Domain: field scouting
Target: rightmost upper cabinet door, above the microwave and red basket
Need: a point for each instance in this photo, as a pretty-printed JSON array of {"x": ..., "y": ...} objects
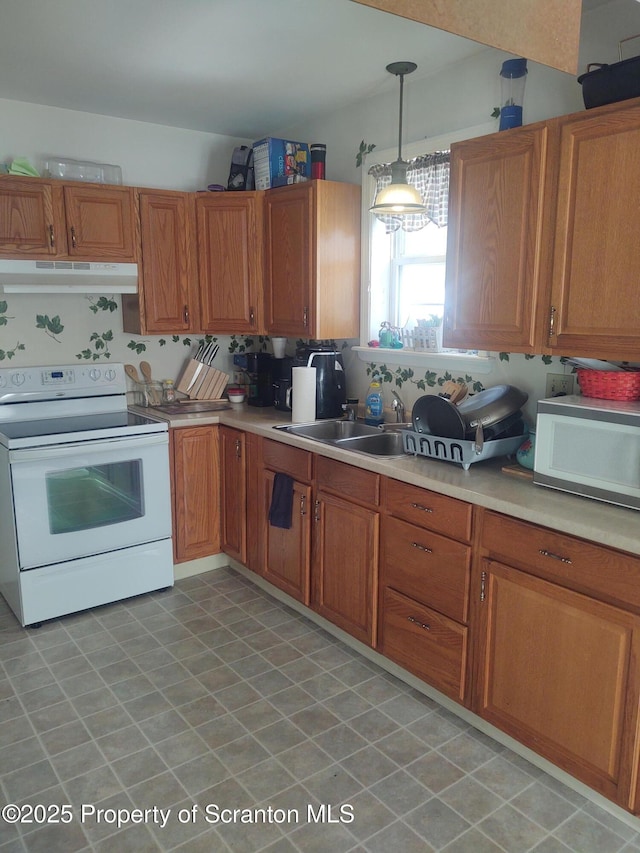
[{"x": 597, "y": 250}]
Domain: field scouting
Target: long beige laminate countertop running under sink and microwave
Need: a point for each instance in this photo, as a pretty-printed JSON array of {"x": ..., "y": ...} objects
[{"x": 484, "y": 483}]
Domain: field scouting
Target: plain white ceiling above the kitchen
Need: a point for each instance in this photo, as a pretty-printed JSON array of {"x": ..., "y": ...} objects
[{"x": 243, "y": 68}]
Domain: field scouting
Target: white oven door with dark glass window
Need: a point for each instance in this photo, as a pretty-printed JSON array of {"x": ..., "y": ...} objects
[{"x": 77, "y": 500}]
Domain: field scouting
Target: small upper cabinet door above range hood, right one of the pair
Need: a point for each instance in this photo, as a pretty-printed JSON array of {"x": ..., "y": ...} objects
[{"x": 101, "y": 223}]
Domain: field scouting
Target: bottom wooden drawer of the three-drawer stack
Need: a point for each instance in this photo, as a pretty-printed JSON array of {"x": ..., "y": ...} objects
[{"x": 426, "y": 643}]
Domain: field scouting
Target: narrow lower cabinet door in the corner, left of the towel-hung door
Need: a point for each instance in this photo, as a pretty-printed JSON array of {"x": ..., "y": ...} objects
[{"x": 233, "y": 477}]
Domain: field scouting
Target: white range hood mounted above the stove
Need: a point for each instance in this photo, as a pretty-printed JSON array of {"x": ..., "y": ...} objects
[{"x": 67, "y": 277}]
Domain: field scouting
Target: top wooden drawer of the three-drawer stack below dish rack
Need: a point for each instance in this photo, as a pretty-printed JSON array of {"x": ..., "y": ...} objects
[{"x": 429, "y": 509}]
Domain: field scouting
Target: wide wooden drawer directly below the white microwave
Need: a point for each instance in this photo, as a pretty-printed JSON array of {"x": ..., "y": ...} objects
[{"x": 585, "y": 566}]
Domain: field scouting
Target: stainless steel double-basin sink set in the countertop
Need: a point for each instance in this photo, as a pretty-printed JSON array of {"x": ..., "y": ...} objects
[{"x": 352, "y": 435}]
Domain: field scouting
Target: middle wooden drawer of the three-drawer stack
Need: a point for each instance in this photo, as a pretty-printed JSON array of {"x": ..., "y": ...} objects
[{"x": 427, "y": 567}]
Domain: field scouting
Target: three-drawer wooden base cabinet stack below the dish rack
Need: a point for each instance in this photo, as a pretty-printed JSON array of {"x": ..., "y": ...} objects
[{"x": 424, "y": 586}]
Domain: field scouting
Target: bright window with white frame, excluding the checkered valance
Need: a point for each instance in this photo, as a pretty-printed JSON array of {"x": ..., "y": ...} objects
[{"x": 405, "y": 273}]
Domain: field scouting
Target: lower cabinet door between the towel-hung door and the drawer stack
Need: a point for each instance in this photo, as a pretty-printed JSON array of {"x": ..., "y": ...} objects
[{"x": 345, "y": 565}]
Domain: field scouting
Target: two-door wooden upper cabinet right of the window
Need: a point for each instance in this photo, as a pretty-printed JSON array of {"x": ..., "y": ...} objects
[{"x": 543, "y": 255}]
